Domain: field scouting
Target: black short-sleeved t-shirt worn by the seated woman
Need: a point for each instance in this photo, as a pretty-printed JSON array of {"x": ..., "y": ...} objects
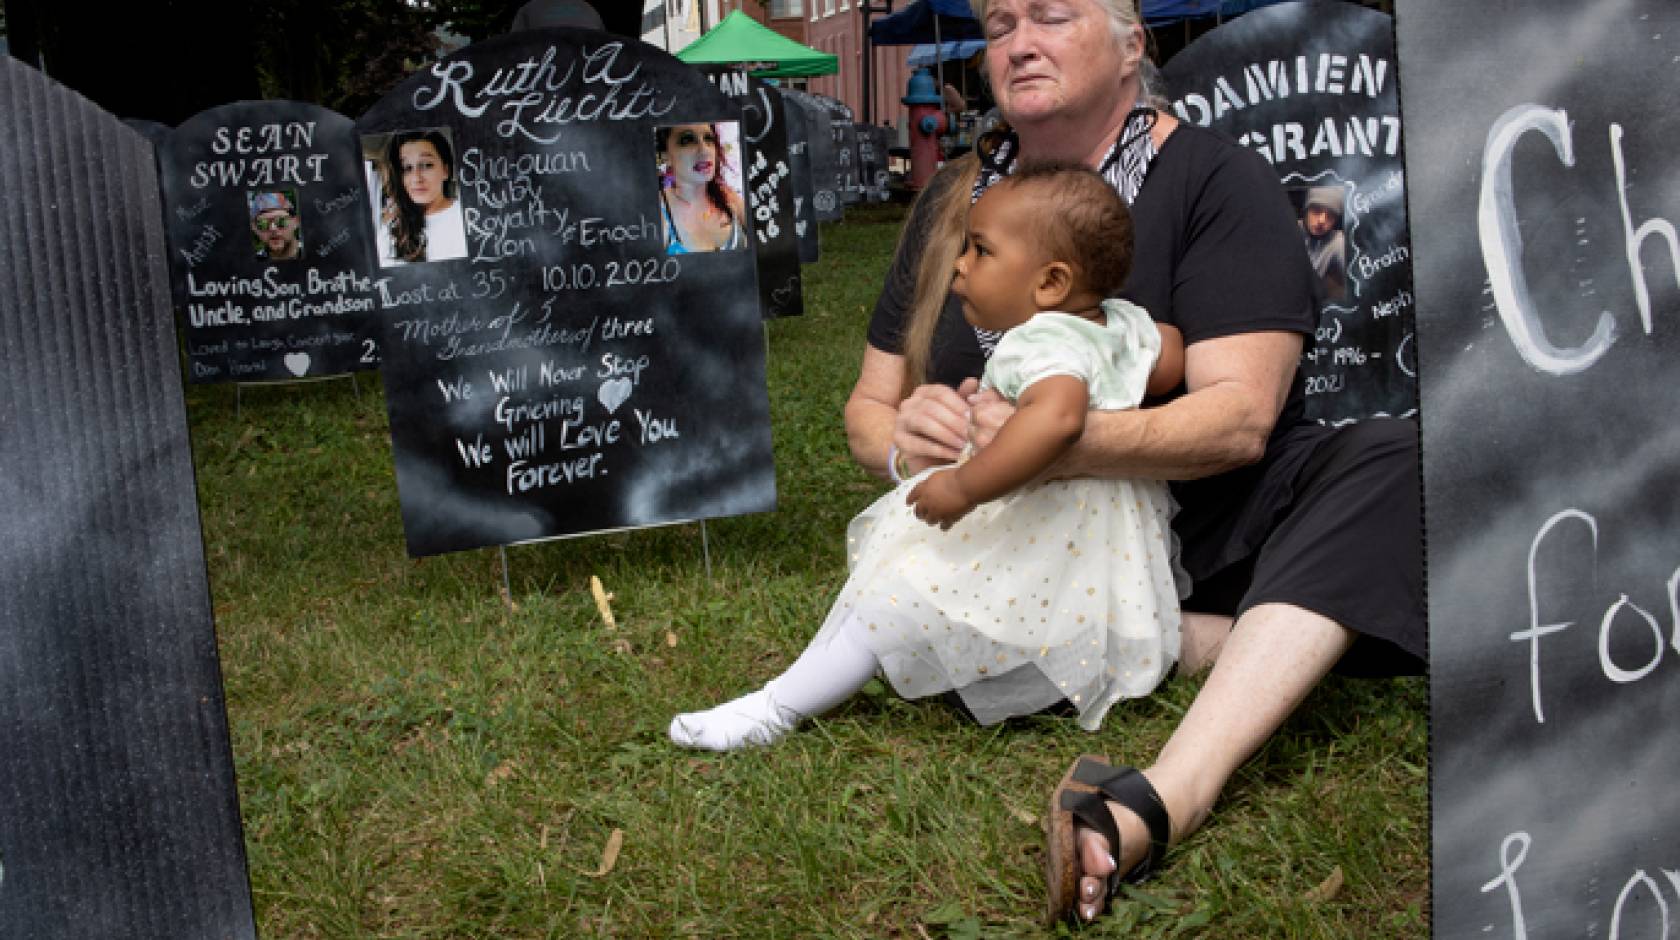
[{"x": 1217, "y": 254}]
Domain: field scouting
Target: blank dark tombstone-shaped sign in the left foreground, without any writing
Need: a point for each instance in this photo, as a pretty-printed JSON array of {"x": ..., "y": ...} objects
[{"x": 118, "y": 815}]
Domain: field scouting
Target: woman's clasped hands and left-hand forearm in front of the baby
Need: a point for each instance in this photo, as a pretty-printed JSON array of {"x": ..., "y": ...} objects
[{"x": 930, "y": 427}]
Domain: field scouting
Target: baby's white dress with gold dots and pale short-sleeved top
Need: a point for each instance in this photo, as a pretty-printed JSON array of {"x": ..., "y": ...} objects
[{"x": 1056, "y": 592}]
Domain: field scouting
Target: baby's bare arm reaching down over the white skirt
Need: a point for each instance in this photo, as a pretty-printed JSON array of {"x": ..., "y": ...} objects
[{"x": 1049, "y": 420}]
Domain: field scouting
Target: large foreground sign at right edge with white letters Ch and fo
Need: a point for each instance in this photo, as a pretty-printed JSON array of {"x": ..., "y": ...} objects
[{"x": 1545, "y": 202}]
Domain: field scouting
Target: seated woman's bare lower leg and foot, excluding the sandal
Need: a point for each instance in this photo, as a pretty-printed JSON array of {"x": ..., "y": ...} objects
[{"x": 1273, "y": 659}]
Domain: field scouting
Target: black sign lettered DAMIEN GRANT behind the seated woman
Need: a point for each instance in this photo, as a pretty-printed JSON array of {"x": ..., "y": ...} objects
[{"x": 1313, "y": 88}]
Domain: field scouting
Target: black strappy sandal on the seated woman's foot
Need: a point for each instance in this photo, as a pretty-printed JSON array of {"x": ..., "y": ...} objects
[{"x": 1083, "y": 796}]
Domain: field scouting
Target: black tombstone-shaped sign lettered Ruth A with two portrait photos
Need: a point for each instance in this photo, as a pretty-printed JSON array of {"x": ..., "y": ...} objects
[{"x": 589, "y": 352}]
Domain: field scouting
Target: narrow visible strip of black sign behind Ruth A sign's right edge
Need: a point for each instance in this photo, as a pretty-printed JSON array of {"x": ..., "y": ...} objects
[{"x": 769, "y": 191}]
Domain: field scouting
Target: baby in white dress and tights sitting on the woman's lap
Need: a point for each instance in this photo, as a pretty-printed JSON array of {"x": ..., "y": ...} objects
[{"x": 979, "y": 578}]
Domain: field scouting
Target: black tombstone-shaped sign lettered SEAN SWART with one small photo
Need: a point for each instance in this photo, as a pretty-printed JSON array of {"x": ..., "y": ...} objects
[{"x": 270, "y": 244}]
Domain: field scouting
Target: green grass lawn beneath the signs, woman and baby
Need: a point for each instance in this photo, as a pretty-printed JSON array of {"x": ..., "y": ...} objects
[{"x": 421, "y": 756}]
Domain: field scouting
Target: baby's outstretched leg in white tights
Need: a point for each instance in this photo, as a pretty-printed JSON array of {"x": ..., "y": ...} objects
[{"x": 827, "y": 674}]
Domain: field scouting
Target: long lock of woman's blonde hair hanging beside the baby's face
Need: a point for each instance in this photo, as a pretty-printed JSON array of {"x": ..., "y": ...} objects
[{"x": 942, "y": 239}]
